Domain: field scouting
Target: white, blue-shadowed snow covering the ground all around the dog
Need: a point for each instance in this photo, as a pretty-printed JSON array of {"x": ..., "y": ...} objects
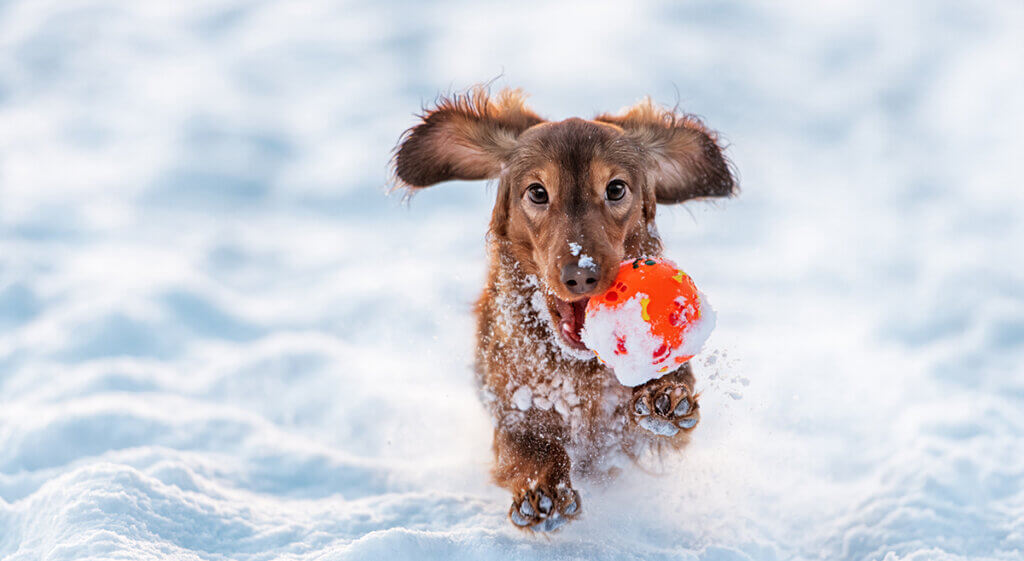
[{"x": 220, "y": 340}]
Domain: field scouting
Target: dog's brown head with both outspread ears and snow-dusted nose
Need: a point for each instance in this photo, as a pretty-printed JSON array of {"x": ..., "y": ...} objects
[{"x": 575, "y": 198}]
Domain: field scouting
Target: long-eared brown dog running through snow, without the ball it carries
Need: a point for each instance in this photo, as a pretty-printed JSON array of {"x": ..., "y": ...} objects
[{"x": 575, "y": 199}]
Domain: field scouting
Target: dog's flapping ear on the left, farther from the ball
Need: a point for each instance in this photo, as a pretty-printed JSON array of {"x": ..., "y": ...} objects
[{"x": 463, "y": 138}]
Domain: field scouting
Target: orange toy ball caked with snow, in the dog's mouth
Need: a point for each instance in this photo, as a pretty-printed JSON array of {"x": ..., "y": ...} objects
[{"x": 652, "y": 321}]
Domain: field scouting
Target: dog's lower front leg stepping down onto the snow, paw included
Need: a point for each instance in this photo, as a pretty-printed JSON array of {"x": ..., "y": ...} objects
[{"x": 536, "y": 469}]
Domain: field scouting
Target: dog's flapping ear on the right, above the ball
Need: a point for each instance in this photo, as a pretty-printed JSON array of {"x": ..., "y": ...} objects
[{"x": 687, "y": 161}]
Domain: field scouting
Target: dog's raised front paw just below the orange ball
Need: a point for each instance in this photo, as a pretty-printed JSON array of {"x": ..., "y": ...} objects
[{"x": 665, "y": 408}]
